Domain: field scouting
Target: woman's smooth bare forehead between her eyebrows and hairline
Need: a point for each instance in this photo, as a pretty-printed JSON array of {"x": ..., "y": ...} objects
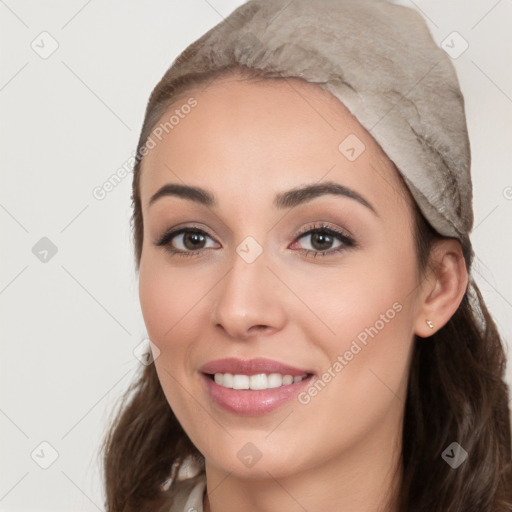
[{"x": 263, "y": 136}]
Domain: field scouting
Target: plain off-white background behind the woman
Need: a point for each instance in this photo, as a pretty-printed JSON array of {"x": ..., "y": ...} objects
[{"x": 69, "y": 326}]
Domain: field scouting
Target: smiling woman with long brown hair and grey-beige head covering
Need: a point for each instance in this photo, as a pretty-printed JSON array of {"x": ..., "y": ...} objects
[{"x": 302, "y": 210}]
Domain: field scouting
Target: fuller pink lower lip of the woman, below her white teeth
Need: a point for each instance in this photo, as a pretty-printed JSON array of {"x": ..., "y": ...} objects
[{"x": 250, "y": 402}]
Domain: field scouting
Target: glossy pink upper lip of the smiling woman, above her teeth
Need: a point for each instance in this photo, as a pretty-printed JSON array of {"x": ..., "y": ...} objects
[{"x": 251, "y": 367}]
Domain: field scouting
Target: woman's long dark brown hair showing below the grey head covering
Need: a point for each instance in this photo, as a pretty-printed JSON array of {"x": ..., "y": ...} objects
[{"x": 456, "y": 393}]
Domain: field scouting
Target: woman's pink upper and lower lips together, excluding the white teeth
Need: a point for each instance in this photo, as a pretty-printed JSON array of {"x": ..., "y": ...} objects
[{"x": 250, "y": 402}]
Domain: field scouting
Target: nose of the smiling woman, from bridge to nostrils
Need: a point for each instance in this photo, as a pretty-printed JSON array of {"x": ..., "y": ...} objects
[{"x": 249, "y": 300}]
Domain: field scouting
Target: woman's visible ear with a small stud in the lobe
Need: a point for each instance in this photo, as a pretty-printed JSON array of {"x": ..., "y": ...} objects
[{"x": 443, "y": 288}]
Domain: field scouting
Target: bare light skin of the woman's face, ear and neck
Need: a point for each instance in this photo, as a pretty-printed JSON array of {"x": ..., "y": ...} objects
[{"x": 245, "y": 142}]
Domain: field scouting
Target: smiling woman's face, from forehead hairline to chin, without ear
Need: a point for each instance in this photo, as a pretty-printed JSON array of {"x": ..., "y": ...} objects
[{"x": 262, "y": 272}]
